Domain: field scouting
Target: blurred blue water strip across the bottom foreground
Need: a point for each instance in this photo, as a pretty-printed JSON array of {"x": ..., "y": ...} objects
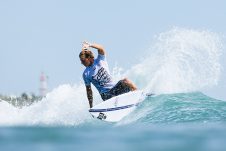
[{"x": 149, "y": 137}]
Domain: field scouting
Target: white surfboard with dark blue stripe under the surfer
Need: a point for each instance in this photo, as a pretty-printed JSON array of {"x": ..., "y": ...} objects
[{"x": 116, "y": 108}]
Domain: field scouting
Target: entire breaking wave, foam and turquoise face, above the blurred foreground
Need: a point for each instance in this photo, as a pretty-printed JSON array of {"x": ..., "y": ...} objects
[{"x": 178, "y": 65}]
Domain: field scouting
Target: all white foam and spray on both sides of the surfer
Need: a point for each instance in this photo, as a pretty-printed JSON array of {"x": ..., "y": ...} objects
[{"x": 180, "y": 60}]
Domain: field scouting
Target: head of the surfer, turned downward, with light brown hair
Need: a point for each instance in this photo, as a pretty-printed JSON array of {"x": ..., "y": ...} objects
[{"x": 86, "y": 57}]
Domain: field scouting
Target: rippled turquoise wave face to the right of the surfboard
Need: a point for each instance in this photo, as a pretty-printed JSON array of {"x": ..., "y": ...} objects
[{"x": 179, "y": 108}]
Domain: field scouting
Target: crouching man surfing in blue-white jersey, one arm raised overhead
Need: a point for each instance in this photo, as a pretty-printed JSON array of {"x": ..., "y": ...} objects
[{"x": 97, "y": 73}]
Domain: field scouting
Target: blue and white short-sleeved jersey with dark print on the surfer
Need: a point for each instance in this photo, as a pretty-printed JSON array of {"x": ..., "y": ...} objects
[{"x": 98, "y": 74}]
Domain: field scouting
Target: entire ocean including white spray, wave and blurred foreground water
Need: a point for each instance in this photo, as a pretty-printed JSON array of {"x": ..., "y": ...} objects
[{"x": 180, "y": 117}]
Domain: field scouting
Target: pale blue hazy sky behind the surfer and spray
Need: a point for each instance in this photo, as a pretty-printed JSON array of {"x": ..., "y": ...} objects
[{"x": 46, "y": 35}]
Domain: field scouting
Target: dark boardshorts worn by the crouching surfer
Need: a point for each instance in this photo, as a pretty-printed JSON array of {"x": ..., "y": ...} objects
[{"x": 119, "y": 88}]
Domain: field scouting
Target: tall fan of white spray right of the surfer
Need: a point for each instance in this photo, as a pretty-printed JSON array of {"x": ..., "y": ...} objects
[{"x": 181, "y": 60}]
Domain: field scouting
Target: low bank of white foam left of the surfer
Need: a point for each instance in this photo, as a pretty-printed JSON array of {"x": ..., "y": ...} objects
[{"x": 65, "y": 105}]
